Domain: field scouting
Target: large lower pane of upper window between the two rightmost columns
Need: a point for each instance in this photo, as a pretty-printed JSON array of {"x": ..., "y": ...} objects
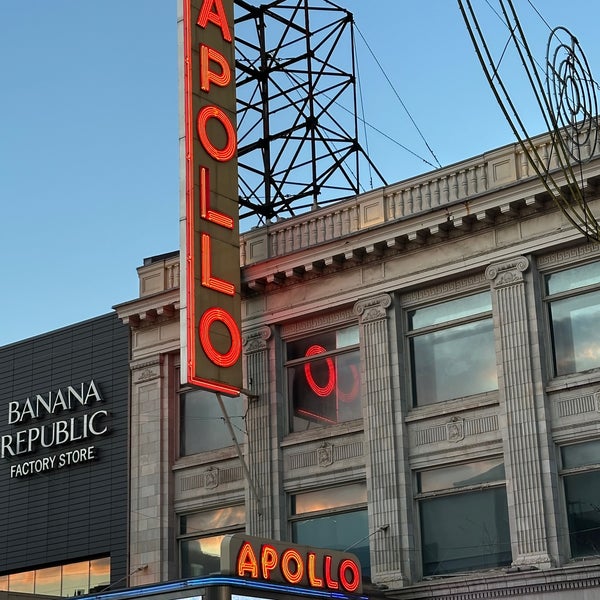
[{"x": 454, "y": 362}]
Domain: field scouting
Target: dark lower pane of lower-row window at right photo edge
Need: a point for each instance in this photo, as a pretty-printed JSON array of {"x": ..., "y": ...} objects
[{"x": 582, "y": 493}]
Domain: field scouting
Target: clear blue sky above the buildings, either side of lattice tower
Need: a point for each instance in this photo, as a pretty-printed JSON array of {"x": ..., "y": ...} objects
[{"x": 89, "y": 161}]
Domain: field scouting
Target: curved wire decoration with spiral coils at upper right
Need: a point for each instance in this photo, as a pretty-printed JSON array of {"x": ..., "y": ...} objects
[{"x": 565, "y": 92}]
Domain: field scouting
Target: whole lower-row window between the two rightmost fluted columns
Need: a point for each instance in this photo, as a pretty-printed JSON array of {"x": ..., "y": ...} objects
[{"x": 463, "y": 517}]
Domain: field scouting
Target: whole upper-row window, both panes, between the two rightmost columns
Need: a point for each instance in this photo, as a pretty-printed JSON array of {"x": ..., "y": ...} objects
[{"x": 452, "y": 350}]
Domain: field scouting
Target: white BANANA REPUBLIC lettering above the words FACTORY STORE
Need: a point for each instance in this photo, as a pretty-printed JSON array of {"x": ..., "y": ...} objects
[{"x": 71, "y": 428}]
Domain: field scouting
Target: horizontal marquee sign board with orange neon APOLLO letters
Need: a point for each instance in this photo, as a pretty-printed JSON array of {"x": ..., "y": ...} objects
[{"x": 268, "y": 560}]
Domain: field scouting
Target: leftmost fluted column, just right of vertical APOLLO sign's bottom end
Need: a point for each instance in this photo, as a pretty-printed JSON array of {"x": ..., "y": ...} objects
[{"x": 259, "y": 517}]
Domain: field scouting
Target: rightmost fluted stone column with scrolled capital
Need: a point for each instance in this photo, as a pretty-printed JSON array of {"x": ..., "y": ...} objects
[{"x": 522, "y": 437}]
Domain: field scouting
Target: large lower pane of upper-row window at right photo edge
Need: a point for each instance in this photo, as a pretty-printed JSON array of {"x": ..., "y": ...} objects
[{"x": 574, "y": 332}]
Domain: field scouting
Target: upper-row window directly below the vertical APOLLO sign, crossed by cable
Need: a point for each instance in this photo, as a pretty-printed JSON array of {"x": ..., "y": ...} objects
[{"x": 202, "y": 425}]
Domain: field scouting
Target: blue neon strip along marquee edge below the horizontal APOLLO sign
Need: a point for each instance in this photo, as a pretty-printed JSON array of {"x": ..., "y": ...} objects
[{"x": 214, "y": 581}]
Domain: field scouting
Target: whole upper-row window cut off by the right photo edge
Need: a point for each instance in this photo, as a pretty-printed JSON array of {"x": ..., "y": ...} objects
[{"x": 574, "y": 307}]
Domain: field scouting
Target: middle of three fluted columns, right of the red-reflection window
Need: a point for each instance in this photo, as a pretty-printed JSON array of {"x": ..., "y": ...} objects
[{"x": 380, "y": 433}]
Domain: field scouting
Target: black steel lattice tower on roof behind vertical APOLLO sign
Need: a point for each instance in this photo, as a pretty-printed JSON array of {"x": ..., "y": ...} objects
[{"x": 297, "y": 119}]
